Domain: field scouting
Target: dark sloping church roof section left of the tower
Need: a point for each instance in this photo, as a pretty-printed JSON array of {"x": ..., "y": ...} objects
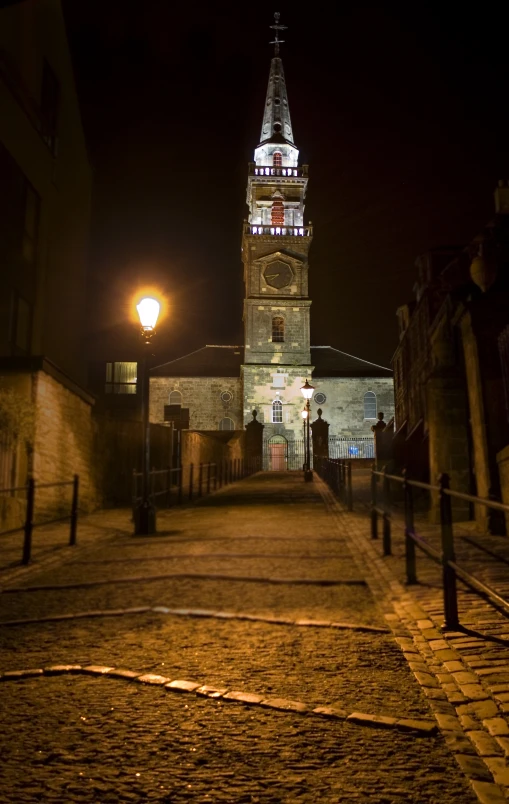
[{"x": 209, "y": 361}]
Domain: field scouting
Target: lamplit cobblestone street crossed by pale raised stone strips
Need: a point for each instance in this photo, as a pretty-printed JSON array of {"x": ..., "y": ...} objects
[{"x": 300, "y": 690}]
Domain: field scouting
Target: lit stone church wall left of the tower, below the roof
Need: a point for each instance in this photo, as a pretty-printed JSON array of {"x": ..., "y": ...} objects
[{"x": 202, "y": 395}]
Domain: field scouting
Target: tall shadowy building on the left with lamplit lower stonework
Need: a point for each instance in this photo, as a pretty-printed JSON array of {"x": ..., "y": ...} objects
[{"x": 45, "y": 195}]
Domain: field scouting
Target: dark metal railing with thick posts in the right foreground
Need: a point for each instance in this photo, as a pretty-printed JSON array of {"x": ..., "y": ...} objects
[{"x": 446, "y": 556}]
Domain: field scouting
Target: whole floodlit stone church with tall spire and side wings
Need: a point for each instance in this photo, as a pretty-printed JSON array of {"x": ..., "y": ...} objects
[{"x": 218, "y": 387}]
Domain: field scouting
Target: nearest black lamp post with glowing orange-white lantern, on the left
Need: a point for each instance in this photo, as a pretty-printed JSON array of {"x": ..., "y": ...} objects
[{"x": 145, "y": 513}]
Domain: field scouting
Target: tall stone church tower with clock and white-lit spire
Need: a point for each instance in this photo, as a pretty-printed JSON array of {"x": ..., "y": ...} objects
[{"x": 275, "y": 246}]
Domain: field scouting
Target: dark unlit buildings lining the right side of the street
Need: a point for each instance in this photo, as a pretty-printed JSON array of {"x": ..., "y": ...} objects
[{"x": 451, "y": 365}]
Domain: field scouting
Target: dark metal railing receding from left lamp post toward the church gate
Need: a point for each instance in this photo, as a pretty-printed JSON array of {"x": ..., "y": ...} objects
[{"x": 186, "y": 483}]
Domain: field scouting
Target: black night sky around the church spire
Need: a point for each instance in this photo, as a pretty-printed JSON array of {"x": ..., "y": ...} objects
[{"x": 400, "y": 111}]
